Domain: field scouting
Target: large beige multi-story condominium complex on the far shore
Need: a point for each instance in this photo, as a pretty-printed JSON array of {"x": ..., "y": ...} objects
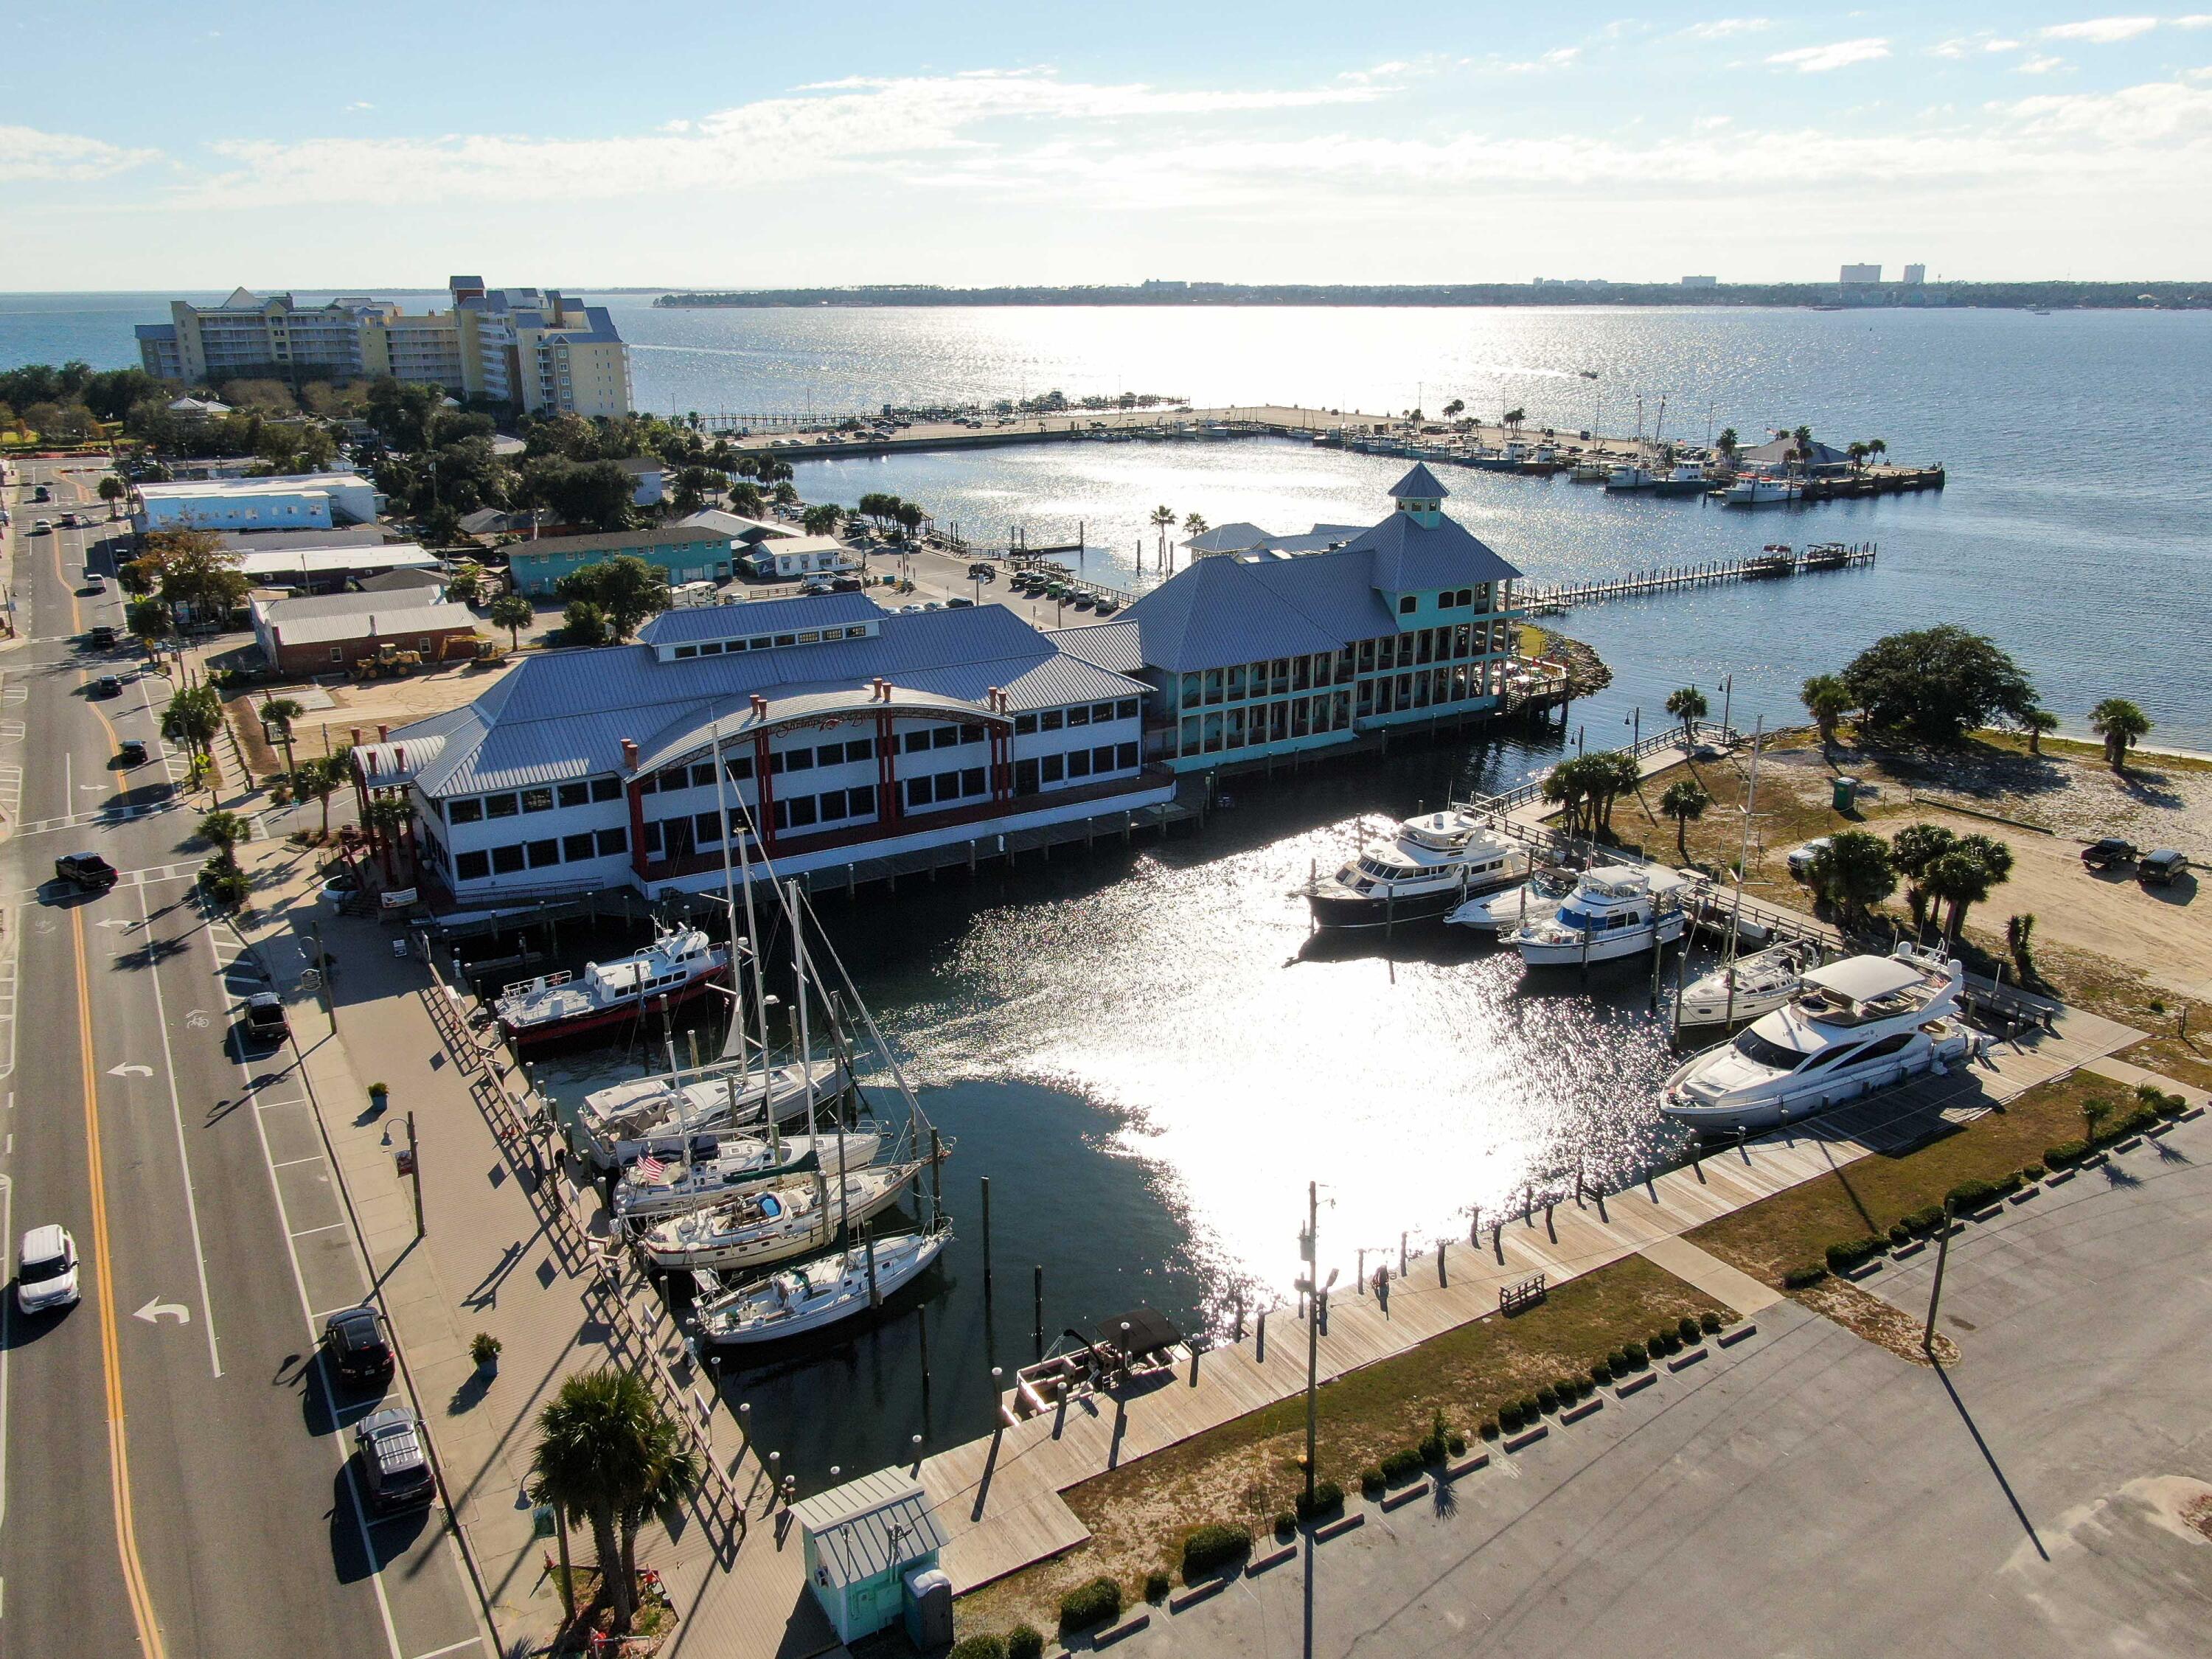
[{"x": 532, "y": 348}]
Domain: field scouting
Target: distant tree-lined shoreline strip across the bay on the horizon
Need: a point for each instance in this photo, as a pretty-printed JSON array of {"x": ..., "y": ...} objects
[{"x": 2056, "y": 295}]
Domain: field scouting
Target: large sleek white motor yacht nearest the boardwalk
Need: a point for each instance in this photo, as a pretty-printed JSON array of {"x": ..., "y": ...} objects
[{"x": 1853, "y": 1027}]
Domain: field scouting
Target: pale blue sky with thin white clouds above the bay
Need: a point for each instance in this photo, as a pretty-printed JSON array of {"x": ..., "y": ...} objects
[{"x": 149, "y": 145}]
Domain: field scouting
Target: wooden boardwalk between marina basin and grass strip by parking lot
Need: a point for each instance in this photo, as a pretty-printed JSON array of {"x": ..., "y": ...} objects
[{"x": 1001, "y": 1499}]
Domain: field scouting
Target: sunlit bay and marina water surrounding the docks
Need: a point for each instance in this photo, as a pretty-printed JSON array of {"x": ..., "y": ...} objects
[{"x": 1142, "y": 1050}]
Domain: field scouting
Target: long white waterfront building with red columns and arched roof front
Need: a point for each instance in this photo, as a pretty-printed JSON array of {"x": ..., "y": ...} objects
[{"x": 848, "y": 733}]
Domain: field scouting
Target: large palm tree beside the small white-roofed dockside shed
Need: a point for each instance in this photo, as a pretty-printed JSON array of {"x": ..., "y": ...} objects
[{"x": 607, "y": 1454}]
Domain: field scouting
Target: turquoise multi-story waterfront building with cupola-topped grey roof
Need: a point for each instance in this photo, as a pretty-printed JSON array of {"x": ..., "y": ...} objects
[{"x": 1277, "y": 651}]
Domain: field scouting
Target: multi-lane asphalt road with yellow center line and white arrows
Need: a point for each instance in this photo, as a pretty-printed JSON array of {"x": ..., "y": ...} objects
[{"x": 176, "y": 1465}]
